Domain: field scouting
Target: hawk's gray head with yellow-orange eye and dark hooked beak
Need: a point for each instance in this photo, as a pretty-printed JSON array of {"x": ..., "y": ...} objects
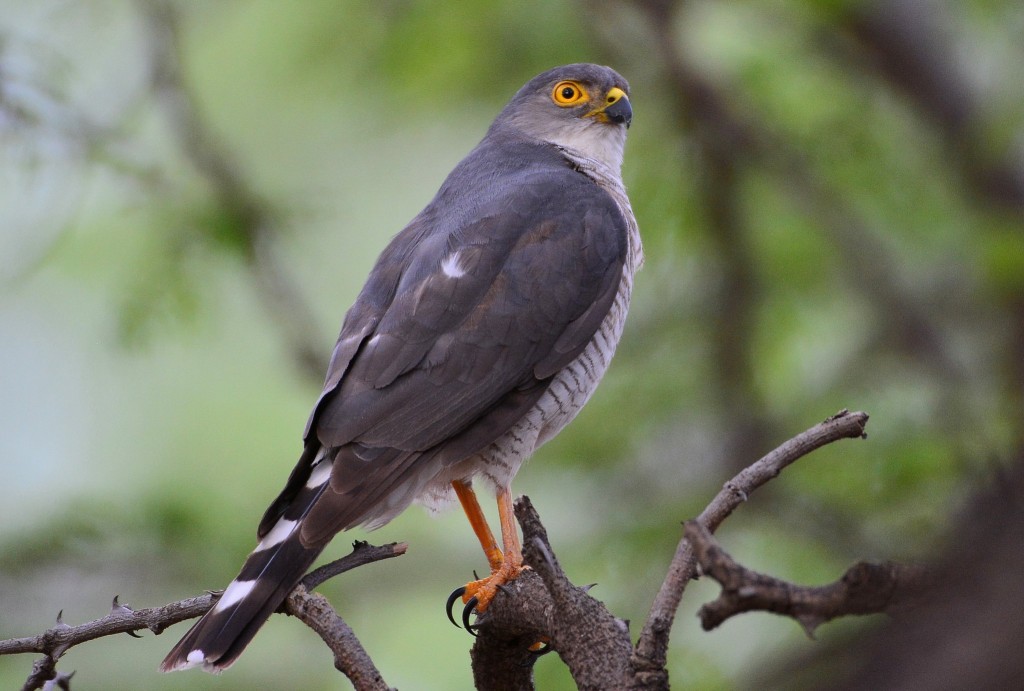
[{"x": 581, "y": 107}]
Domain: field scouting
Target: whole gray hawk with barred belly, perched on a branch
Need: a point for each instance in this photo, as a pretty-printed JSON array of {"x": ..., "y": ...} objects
[{"x": 484, "y": 328}]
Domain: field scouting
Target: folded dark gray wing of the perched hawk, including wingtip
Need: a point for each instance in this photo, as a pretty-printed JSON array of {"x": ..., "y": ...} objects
[{"x": 456, "y": 335}]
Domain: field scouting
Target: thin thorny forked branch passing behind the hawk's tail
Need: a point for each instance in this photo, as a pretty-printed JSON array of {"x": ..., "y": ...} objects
[{"x": 309, "y": 608}]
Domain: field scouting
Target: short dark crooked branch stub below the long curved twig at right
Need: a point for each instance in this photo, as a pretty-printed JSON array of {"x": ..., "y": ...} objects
[{"x": 865, "y": 589}]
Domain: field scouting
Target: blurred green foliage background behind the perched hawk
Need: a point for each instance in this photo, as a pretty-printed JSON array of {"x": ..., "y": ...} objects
[{"x": 152, "y": 399}]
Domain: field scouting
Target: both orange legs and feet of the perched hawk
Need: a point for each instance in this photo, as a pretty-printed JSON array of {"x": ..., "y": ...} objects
[{"x": 504, "y": 568}]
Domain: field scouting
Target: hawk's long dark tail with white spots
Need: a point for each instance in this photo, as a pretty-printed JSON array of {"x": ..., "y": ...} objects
[{"x": 270, "y": 574}]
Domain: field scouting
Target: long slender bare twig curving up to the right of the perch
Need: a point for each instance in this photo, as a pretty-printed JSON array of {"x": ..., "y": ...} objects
[{"x": 650, "y": 656}]
